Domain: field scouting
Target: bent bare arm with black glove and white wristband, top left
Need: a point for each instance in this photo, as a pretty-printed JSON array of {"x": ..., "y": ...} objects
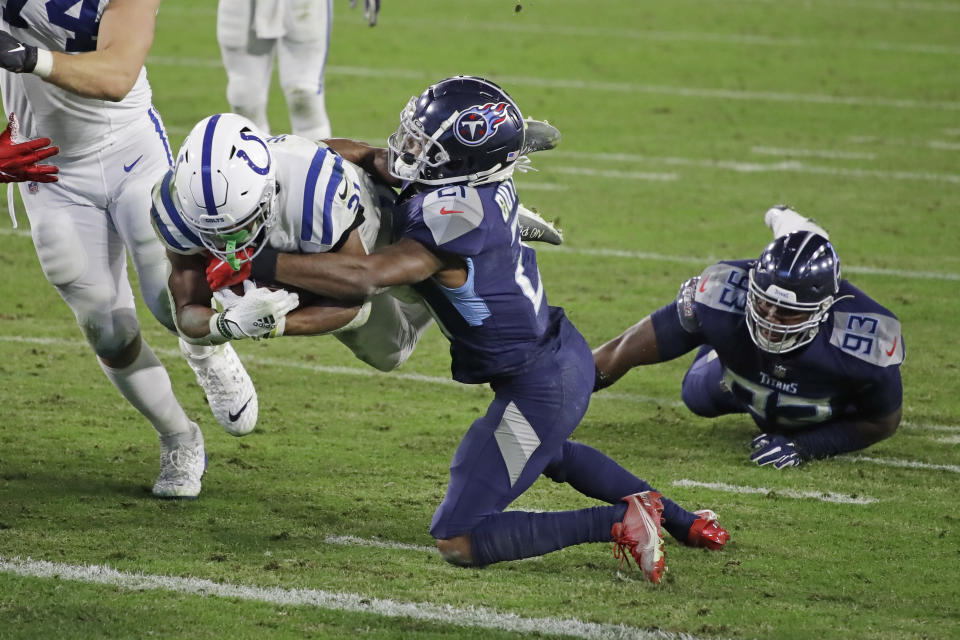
[{"x": 124, "y": 38}]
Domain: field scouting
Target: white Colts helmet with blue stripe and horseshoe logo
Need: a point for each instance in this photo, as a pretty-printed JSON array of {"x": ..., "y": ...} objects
[{"x": 225, "y": 184}]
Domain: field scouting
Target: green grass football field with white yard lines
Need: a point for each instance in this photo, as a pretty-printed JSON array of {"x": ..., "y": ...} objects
[{"x": 683, "y": 122}]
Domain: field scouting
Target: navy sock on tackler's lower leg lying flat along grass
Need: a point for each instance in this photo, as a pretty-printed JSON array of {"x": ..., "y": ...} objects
[{"x": 512, "y": 535}]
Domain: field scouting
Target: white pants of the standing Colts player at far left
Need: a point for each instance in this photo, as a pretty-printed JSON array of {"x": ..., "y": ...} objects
[{"x": 83, "y": 226}]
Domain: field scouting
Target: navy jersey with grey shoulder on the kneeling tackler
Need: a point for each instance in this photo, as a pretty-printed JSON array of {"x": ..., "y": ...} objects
[{"x": 498, "y": 322}]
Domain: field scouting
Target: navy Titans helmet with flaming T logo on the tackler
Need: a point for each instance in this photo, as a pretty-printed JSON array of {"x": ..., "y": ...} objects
[{"x": 462, "y": 129}]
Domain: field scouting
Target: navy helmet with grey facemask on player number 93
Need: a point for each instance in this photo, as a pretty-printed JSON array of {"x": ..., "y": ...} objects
[{"x": 792, "y": 287}]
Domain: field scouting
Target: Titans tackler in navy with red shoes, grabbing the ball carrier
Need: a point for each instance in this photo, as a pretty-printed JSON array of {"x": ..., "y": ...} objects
[{"x": 459, "y": 246}]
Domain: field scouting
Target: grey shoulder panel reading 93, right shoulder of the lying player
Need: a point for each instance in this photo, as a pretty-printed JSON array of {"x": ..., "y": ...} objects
[{"x": 872, "y": 337}]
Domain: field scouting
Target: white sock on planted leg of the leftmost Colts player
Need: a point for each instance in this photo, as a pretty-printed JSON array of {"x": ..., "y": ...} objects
[{"x": 146, "y": 385}]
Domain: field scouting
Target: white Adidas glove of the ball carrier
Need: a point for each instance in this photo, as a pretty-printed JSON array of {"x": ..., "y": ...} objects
[{"x": 258, "y": 313}]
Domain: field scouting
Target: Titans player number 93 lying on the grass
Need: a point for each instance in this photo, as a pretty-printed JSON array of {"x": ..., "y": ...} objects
[{"x": 812, "y": 359}]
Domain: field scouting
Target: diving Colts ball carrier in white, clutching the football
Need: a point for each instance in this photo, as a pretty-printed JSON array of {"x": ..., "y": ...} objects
[{"x": 235, "y": 192}]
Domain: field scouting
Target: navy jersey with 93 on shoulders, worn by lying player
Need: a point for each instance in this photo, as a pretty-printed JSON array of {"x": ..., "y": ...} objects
[{"x": 850, "y": 369}]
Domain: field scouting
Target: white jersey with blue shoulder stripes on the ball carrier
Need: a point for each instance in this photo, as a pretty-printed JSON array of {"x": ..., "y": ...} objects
[{"x": 321, "y": 199}]
